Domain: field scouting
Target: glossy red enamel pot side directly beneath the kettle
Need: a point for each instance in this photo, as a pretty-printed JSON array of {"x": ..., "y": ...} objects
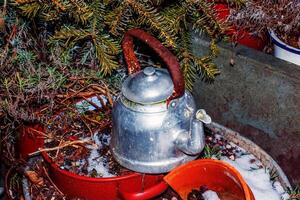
[{"x": 133, "y": 186}]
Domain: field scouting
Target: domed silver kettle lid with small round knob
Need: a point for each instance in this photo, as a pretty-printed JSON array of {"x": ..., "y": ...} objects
[{"x": 151, "y": 85}]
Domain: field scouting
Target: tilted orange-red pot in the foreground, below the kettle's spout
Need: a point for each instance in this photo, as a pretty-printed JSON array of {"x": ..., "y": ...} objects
[{"x": 214, "y": 174}]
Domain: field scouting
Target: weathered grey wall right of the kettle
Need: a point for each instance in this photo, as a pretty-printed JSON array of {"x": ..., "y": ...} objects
[{"x": 259, "y": 96}]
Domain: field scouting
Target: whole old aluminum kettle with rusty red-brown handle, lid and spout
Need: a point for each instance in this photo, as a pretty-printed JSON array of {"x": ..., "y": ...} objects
[{"x": 156, "y": 126}]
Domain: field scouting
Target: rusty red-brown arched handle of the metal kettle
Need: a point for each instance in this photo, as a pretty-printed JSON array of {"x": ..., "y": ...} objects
[{"x": 168, "y": 58}]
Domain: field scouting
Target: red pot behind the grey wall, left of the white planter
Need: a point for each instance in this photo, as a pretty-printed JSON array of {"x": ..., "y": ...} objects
[{"x": 240, "y": 36}]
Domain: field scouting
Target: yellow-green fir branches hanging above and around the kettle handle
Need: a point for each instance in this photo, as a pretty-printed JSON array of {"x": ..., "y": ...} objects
[{"x": 91, "y": 31}]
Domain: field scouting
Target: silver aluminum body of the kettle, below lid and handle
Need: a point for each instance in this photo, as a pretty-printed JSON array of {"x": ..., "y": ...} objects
[{"x": 153, "y": 142}]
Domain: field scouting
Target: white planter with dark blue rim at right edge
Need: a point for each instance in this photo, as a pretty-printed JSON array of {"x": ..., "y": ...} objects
[{"x": 284, "y": 51}]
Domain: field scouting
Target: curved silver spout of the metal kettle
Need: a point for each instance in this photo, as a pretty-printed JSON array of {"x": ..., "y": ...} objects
[{"x": 193, "y": 142}]
